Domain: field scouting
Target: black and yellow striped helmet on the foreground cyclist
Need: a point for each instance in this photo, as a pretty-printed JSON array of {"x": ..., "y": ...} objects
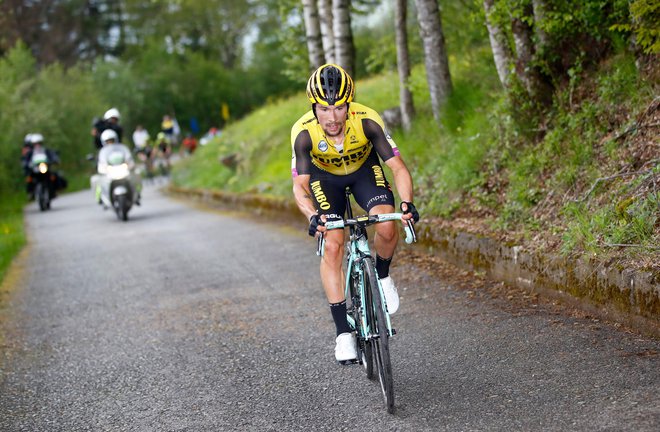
[{"x": 330, "y": 85}]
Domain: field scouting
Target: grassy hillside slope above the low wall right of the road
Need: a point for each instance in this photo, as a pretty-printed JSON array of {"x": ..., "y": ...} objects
[{"x": 586, "y": 183}]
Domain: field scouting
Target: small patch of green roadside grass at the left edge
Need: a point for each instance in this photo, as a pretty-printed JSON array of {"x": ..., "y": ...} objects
[{"x": 12, "y": 235}]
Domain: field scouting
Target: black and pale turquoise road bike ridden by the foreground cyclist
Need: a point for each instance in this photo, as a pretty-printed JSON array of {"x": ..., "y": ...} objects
[{"x": 366, "y": 306}]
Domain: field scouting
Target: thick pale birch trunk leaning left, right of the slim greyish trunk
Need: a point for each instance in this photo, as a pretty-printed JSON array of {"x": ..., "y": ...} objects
[{"x": 435, "y": 53}]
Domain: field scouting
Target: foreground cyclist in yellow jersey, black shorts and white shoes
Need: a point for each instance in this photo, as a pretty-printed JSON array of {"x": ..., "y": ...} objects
[{"x": 339, "y": 144}]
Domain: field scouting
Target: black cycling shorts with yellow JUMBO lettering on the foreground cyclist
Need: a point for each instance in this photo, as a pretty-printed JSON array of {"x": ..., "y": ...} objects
[{"x": 368, "y": 185}]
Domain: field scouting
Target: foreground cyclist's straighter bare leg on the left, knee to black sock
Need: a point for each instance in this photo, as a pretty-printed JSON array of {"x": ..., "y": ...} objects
[{"x": 331, "y": 272}]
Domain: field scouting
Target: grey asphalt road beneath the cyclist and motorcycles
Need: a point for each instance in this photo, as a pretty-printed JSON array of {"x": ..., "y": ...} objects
[{"x": 184, "y": 319}]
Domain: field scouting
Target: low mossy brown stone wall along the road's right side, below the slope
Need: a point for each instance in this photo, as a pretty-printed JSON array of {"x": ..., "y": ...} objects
[{"x": 619, "y": 295}]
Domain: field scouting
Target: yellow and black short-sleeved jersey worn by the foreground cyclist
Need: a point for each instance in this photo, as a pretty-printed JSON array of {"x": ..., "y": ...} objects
[{"x": 364, "y": 130}]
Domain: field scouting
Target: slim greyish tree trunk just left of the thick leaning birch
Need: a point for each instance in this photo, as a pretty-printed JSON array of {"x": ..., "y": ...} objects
[{"x": 403, "y": 63}]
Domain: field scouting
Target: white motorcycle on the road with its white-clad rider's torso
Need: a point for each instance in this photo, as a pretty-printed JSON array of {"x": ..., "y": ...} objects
[{"x": 119, "y": 186}]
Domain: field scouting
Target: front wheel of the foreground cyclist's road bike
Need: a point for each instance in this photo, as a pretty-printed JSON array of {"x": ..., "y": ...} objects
[{"x": 380, "y": 343}]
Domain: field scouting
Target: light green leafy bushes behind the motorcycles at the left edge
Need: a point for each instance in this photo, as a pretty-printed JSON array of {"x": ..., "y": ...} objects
[{"x": 53, "y": 101}]
